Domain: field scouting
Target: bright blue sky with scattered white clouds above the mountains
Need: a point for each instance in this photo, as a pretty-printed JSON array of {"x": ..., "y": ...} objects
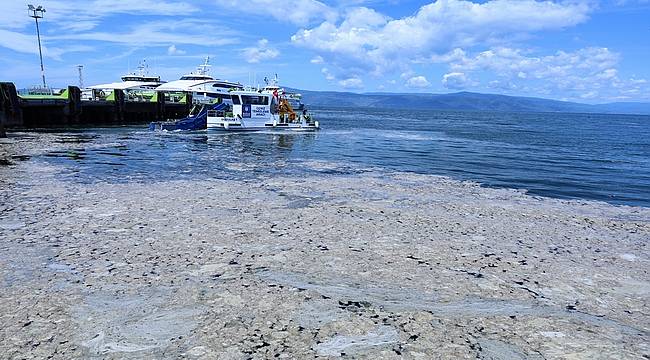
[{"x": 578, "y": 50}]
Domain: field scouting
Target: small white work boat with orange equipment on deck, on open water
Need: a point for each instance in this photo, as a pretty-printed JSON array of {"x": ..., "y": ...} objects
[{"x": 264, "y": 109}]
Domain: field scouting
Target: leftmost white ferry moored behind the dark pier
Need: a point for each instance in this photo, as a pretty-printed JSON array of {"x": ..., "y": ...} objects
[{"x": 138, "y": 85}]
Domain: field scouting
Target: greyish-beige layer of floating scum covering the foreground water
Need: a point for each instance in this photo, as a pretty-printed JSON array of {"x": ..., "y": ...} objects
[{"x": 370, "y": 265}]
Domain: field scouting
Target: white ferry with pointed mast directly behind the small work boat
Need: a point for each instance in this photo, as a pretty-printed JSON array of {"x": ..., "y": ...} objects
[{"x": 204, "y": 88}]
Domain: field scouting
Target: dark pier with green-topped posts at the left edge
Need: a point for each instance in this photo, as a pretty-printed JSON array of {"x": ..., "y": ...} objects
[{"x": 68, "y": 109}]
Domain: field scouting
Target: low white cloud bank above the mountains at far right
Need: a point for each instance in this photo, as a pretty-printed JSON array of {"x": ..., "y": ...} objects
[{"x": 585, "y": 73}]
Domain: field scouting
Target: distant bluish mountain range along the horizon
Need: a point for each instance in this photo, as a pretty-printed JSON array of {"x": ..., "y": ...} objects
[{"x": 464, "y": 101}]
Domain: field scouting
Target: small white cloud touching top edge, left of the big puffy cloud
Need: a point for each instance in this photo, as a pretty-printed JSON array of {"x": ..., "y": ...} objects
[{"x": 298, "y": 12}]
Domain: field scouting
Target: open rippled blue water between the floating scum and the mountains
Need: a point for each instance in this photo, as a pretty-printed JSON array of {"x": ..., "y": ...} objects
[{"x": 587, "y": 156}]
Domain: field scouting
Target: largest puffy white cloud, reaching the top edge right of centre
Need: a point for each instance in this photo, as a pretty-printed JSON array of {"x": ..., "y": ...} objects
[{"x": 372, "y": 42}]
